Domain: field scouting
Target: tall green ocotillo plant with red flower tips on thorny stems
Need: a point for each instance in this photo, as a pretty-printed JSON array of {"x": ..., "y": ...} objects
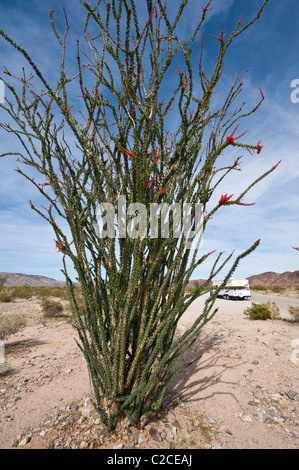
[{"x": 124, "y": 143}]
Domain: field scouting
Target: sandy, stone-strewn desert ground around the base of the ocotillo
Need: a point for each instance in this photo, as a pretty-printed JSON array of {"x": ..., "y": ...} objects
[{"x": 242, "y": 393}]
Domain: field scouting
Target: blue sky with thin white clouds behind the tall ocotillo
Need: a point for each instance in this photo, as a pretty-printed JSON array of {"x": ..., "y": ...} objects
[{"x": 269, "y": 49}]
